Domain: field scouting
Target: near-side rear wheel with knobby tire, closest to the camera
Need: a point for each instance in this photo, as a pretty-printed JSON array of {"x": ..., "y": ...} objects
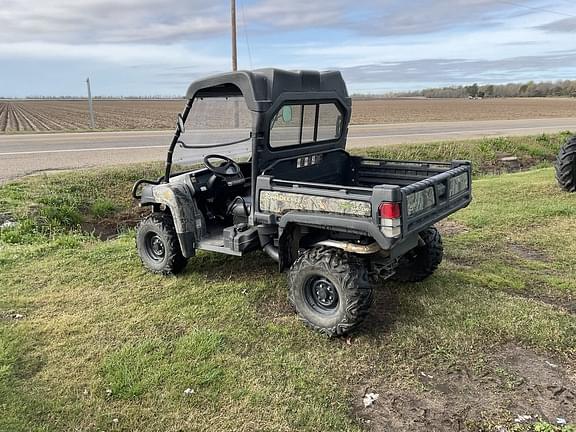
[{"x": 330, "y": 290}]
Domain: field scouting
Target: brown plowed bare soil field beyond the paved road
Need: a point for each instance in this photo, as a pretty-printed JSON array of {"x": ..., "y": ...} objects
[{"x": 71, "y": 115}]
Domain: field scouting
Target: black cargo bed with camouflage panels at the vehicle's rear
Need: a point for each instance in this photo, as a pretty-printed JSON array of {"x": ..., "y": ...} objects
[{"x": 357, "y": 187}]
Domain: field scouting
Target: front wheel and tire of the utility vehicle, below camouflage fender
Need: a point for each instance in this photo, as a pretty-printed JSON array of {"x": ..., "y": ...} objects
[{"x": 158, "y": 245}]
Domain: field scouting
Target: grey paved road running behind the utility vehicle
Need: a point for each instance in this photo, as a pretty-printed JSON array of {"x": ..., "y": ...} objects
[{"x": 29, "y": 153}]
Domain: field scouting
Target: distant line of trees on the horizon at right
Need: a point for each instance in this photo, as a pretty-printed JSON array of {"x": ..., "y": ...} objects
[{"x": 530, "y": 89}]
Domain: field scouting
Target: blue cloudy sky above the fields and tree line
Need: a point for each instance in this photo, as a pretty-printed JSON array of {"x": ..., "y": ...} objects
[{"x": 157, "y": 47}]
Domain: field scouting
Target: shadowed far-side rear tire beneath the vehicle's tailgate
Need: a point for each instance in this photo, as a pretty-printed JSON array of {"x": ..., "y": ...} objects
[{"x": 422, "y": 261}]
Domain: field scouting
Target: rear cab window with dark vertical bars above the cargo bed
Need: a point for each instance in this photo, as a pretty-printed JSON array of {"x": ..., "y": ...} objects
[{"x": 296, "y": 124}]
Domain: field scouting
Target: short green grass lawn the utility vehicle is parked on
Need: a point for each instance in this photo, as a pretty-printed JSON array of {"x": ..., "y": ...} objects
[{"x": 104, "y": 345}]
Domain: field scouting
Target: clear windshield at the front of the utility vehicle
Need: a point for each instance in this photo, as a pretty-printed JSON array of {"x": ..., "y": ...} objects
[{"x": 212, "y": 123}]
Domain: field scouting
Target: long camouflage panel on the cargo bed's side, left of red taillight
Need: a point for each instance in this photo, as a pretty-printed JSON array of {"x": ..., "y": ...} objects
[{"x": 283, "y": 202}]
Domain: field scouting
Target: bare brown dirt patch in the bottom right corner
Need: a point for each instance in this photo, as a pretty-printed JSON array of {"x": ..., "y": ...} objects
[{"x": 512, "y": 382}]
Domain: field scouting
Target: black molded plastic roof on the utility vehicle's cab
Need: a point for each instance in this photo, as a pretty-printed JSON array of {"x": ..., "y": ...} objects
[{"x": 261, "y": 87}]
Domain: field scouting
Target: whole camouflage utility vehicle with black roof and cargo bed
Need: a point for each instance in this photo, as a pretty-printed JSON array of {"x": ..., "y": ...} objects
[{"x": 335, "y": 222}]
